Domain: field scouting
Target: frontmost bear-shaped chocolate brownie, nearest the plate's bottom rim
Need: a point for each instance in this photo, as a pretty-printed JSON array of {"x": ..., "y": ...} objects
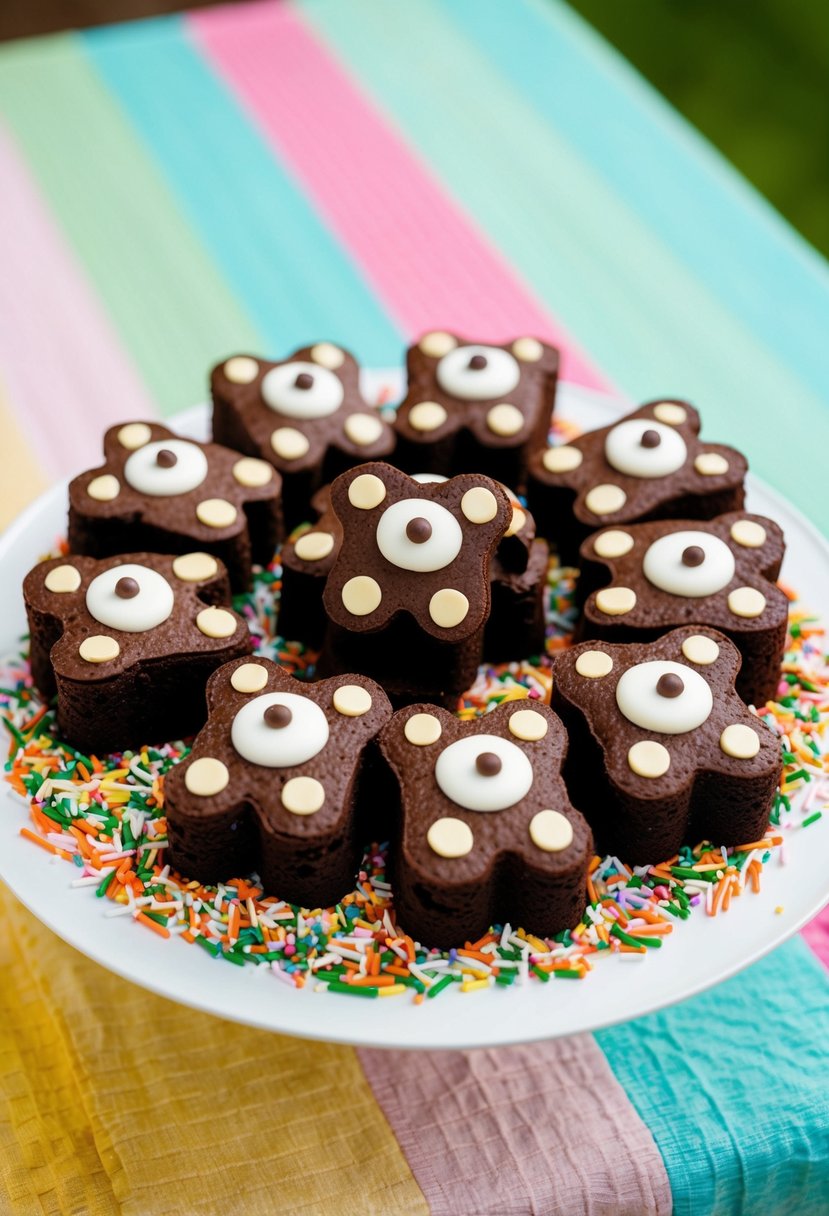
[{"x": 487, "y": 831}]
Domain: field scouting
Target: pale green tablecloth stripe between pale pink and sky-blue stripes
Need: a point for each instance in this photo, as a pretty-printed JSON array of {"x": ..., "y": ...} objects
[{"x": 170, "y": 302}]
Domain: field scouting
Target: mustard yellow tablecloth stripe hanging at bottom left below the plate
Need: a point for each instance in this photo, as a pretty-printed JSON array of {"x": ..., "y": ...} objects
[{"x": 117, "y": 1101}]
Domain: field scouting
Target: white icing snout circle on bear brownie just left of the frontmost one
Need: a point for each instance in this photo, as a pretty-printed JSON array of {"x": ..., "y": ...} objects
[{"x": 304, "y": 735}]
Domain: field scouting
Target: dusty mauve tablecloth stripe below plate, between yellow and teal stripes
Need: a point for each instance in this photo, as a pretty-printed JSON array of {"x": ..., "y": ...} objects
[{"x": 538, "y": 1129}]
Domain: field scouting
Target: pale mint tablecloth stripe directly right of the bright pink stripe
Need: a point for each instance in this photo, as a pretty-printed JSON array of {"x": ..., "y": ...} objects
[{"x": 622, "y": 292}]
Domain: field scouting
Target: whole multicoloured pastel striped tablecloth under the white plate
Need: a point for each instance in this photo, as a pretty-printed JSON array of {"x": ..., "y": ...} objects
[{"x": 261, "y": 177}]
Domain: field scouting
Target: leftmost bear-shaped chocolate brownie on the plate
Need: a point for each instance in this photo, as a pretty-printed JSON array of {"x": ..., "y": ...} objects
[{"x": 128, "y": 643}]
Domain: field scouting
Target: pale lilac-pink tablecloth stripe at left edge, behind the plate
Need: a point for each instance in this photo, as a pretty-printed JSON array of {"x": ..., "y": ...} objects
[{"x": 60, "y": 356}]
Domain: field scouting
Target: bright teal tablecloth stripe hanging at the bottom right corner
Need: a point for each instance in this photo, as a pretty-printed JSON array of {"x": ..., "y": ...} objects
[{"x": 740, "y": 1110}]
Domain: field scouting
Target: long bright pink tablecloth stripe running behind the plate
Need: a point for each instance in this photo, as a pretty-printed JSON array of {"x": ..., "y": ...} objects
[{"x": 424, "y": 256}]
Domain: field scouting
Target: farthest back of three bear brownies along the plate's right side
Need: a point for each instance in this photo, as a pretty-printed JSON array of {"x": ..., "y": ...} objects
[{"x": 652, "y": 465}]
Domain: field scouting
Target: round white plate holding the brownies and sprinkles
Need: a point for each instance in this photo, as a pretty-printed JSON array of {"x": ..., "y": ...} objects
[{"x": 701, "y": 953}]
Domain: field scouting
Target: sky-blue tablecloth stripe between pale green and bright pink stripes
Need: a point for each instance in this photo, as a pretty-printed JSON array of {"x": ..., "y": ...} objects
[{"x": 275, "y": 252}]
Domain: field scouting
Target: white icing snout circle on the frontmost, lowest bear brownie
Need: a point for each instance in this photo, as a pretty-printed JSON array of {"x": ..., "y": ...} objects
[{"x": 458, "y": 774}]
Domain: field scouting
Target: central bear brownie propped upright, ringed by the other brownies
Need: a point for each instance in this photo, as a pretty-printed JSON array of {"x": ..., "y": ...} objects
[{"x": 408, "y": 596}]
